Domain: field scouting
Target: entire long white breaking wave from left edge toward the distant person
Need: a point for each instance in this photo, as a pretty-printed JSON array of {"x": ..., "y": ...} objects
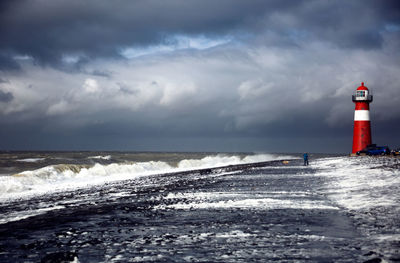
[{"x": 61, "y": 177}]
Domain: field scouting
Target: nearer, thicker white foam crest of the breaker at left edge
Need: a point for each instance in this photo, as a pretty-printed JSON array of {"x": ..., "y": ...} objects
[{"x": 57, "y": 178}]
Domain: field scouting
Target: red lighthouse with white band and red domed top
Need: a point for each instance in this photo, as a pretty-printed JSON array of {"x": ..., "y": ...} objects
[{"x": 362, "y": 125}]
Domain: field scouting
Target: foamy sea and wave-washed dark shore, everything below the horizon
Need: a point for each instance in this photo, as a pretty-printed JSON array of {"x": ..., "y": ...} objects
[{"x": 198, "y": 207}]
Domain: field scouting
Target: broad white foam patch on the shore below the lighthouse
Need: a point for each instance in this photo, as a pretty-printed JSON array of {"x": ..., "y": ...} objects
[{"x": 359, "y": 183}]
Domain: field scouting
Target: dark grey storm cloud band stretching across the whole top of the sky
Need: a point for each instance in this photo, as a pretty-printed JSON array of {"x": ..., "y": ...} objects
[{"x": 49, "y": 30}]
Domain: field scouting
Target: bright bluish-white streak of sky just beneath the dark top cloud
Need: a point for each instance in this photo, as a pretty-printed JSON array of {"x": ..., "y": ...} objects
[{"x": 174, "y": 44}]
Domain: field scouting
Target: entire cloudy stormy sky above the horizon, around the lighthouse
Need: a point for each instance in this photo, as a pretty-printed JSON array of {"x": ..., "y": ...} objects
[{"x": 185, "y": 75}]
